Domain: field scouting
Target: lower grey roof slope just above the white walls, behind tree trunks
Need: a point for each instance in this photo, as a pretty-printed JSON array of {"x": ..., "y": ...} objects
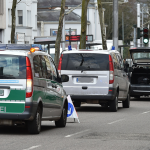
[{"x": 52, "y": 16}]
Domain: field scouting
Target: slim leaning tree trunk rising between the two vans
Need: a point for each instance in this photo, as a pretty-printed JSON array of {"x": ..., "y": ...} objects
[{"x": 59, "y": 33}]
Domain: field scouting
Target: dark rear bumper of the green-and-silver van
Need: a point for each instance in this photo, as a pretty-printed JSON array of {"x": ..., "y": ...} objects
[{"x": 28, "y": 113}]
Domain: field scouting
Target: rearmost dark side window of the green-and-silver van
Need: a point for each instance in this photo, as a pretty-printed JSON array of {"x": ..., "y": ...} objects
[{"x": 37, "y": 67}]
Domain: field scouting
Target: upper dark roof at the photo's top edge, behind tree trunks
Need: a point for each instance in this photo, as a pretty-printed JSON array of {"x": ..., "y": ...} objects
[{"x": 57, "y": 3}]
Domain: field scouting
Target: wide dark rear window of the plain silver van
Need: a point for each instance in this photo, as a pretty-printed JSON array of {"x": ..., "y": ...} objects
[{"x": 85, "y": 61}]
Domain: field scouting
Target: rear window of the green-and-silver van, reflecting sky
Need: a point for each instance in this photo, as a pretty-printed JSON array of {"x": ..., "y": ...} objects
[{"x": 12, "y": 67}]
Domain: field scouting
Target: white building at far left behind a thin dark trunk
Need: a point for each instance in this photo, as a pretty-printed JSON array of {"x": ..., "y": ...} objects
[{"x": 26, "y": 21}]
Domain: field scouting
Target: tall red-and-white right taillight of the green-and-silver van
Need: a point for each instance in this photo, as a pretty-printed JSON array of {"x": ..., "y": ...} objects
[{"x": 29, "y": 79}]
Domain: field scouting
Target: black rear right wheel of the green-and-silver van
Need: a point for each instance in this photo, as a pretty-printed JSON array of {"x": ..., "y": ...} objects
[{"x": 34, "y": 126}]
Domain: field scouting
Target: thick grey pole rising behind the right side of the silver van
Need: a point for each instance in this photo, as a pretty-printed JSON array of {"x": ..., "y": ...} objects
[{"x": 115, "y": 27}]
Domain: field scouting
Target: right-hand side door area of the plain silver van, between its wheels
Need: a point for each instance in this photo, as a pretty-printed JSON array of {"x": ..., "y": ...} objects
[{"x": 123, "y": 77}]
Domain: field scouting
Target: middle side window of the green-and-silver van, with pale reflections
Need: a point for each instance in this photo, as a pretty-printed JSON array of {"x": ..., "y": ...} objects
[{"x": 49, "y": 68}]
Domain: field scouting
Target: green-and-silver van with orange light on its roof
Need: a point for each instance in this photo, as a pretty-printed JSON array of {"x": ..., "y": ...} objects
[{"x": 30, "y": 88}]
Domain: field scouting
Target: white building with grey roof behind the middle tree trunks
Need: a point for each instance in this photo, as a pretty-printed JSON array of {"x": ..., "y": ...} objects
[{"x": 48, "y": 19}]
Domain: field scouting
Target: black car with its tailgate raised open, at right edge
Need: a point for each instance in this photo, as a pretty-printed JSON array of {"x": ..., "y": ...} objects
[{"x": 140, "y": 72}]
